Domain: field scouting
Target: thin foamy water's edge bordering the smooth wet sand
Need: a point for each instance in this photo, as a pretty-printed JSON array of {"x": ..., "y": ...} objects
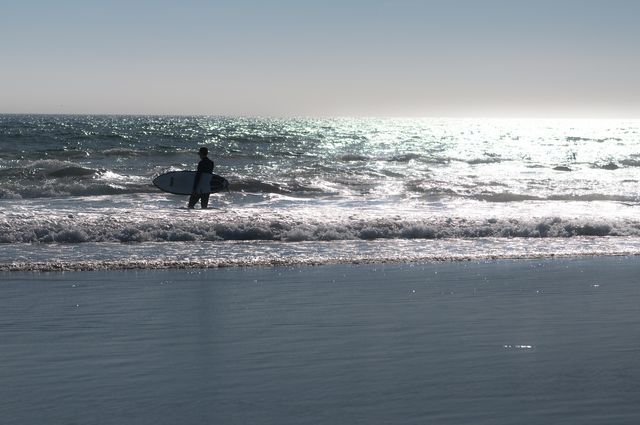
[{"x": 142, "y": 265}]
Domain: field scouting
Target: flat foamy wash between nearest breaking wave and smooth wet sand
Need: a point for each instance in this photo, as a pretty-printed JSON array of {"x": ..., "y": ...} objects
[{"x": 116, "y": 256}]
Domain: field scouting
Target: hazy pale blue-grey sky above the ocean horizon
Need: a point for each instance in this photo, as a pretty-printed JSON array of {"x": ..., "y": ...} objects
[{"x": 323, "y": 57}]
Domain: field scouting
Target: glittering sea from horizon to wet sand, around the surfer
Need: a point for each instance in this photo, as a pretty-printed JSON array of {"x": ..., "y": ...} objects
[{"x": 76, "y": 191}]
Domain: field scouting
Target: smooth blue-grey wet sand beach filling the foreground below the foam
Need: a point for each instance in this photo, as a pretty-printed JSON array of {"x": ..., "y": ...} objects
[{"x": 483, "y": 342}]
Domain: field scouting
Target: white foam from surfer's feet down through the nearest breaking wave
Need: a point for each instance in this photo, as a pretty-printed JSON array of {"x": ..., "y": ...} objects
[{"x": 315, "y": 222}]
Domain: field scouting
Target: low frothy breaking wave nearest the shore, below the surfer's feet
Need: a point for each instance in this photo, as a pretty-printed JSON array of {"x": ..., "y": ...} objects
[{"x": 79, "y": 229}]
